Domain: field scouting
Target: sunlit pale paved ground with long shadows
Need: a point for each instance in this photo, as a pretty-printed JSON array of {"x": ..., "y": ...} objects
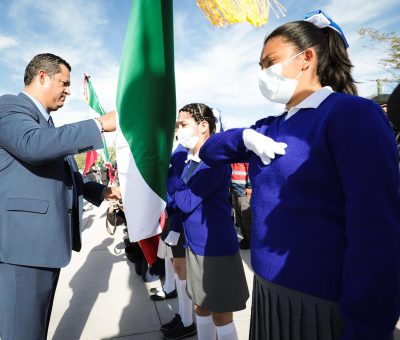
[{"x": 99, "y": 295}]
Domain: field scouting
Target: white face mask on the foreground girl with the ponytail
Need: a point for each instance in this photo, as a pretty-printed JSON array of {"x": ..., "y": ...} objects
[{"x": 274, "y": 86}]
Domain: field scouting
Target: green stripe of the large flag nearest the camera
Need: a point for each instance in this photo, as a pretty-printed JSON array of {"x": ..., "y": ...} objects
[{"x": 146, "y": 90}]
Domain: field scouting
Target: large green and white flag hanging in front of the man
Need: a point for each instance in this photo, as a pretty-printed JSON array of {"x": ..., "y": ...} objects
[{"x": 146, "y": 110}]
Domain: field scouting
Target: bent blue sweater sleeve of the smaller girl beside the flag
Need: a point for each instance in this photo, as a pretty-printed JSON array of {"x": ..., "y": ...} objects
[{"x": 203, "y": 183}]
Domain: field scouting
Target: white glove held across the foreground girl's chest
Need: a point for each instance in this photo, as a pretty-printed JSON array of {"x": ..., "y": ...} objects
[{"x": 263, "y": 146}]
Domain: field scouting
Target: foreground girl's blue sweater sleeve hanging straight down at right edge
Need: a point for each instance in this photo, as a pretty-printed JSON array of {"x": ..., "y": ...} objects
[{"x": 365, "y": 154}]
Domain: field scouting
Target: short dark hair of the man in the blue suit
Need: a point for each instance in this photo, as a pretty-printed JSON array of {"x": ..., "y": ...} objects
[{"x": 47, "y": 62}]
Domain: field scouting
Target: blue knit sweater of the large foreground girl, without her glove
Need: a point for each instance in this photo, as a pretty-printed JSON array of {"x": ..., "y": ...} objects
[{"x": 326, "y": 215}]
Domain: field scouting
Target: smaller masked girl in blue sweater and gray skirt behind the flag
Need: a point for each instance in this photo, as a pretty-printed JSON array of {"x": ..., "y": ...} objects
[{"x": 213, "y": 258}]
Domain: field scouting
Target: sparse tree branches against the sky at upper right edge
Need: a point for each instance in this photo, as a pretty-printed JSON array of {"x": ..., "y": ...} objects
[{"x": 392, "y": 42}]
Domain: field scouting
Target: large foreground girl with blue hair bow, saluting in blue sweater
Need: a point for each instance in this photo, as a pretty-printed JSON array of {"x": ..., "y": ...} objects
[{"x": 326, "y": 207}]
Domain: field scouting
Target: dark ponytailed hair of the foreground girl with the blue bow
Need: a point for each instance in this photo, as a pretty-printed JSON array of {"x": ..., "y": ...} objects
[{"x": 334, "y": 66}]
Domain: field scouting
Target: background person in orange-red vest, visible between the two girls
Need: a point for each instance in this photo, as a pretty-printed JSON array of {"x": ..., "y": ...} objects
[{"x": 241, "y": 194}]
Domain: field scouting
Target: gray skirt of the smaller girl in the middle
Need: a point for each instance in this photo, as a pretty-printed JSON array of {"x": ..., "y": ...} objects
[{"x": 216, "y": 283}]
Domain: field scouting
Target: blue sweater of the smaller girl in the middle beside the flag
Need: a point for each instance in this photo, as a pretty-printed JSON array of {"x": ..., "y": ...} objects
[{"x": 206, "y": 212}]
